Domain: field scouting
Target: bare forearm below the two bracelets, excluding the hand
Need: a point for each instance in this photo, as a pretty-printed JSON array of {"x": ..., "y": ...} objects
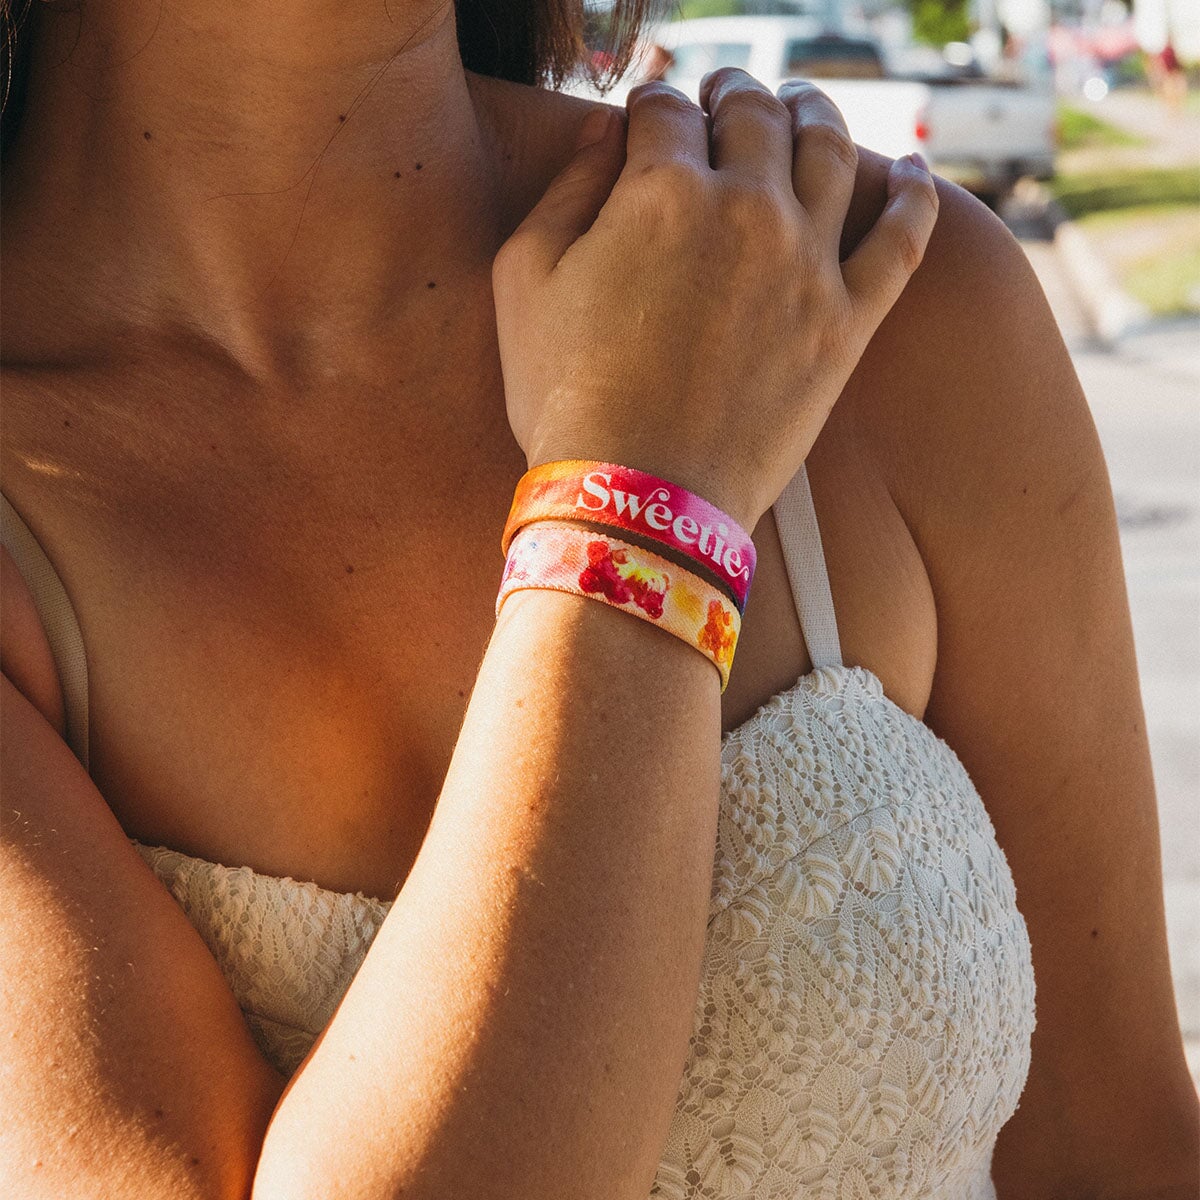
[{"x": 521, "y": 1023}]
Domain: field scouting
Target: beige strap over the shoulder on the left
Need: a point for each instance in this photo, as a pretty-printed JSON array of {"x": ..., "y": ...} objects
[{"x": 58, "y": 619}]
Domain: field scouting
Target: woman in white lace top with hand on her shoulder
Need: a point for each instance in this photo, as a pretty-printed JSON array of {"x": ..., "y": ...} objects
[{"x": 269, "y": 383}]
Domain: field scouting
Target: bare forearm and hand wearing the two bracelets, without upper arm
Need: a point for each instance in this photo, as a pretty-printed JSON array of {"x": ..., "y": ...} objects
[{"x": 520, "y": 1025}]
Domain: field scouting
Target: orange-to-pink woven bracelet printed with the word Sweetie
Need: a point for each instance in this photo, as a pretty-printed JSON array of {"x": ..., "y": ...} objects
[{"x": 605, "y": 494}]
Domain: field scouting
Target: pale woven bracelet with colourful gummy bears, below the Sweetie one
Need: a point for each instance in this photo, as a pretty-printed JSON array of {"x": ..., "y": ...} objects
[{"x": 569, "y": 559}]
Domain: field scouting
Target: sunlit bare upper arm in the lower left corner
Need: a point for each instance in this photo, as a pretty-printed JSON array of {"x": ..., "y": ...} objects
[{"x": 128, "y": 1070}]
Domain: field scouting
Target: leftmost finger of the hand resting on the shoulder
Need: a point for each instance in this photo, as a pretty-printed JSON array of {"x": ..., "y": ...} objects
[{"x": 574, "y": 200}]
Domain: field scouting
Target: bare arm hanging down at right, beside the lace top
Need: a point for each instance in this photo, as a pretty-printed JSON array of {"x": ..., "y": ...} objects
[{"x": 1006, "y": 489}]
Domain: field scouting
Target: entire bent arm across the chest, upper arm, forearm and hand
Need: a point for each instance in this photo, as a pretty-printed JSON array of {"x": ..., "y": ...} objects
[{"x": 520, "y": 1024}]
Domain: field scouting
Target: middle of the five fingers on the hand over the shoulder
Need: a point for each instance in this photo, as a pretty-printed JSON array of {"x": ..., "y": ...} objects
[{"x": 752, "y": 129}]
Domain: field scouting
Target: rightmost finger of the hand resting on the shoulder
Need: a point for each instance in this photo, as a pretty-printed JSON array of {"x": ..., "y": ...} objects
[{"x": 879, "y": 271}]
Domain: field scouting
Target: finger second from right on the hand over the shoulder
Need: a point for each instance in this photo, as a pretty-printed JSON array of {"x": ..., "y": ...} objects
[{"x": 825, "y": 160}]
